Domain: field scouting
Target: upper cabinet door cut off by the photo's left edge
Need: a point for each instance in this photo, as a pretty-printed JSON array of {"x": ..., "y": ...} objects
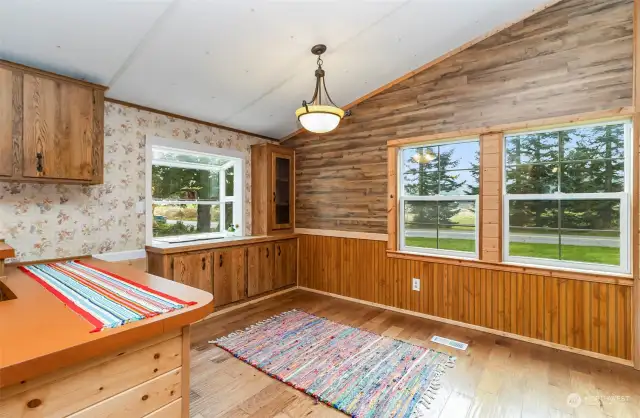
[{"x": 6, "y": 122}]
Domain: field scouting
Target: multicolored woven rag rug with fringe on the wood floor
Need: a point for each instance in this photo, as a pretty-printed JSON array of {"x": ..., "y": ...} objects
[{"x": 355, "y": 371}]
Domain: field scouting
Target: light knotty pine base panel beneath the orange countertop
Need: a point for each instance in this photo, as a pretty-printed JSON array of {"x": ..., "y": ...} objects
[{"x": 144, "y": 380}]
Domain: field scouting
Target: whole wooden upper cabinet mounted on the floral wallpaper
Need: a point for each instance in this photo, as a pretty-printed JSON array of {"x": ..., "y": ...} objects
[{"x": 57, "y": 127}]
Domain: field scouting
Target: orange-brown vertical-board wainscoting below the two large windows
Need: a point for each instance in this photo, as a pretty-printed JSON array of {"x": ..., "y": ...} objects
[{"x": 580, "y": 314}]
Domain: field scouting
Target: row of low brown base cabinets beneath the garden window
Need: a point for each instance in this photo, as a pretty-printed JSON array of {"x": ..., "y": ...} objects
[{"x": 231, "y": 273}]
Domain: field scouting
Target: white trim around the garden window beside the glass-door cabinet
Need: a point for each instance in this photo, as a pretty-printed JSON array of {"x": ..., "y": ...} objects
[{"x": 238, "y": 189}]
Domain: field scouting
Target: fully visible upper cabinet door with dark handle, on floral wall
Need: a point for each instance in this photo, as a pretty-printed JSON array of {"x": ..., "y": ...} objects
[{"x": 58, "y": 129}]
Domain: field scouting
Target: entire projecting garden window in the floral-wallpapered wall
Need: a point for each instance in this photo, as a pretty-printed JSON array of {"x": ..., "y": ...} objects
[{"x": 194, "y": 194}]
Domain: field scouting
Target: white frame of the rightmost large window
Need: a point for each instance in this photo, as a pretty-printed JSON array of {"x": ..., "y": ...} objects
[{"x": 625, "y": 238}]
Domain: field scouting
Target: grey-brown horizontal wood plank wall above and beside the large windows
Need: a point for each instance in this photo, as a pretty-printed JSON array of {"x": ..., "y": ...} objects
[{"x": 574, "y": 57}]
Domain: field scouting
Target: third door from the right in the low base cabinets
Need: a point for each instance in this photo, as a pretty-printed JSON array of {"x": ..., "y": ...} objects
[{"x": 229, "y": 269}]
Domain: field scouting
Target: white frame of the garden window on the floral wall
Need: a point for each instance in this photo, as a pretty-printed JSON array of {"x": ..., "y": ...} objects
[{"x": 237, "y": 158}]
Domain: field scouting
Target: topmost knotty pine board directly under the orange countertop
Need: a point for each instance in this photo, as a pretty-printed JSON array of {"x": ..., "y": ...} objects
[{"x": 73, "y": 393}]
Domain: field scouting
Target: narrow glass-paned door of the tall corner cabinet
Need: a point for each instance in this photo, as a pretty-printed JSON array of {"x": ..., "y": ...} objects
[{"x": 282, "y": 189}]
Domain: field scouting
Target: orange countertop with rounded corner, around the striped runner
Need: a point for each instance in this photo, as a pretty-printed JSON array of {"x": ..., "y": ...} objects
[{"x": 39, "y": 334}]
